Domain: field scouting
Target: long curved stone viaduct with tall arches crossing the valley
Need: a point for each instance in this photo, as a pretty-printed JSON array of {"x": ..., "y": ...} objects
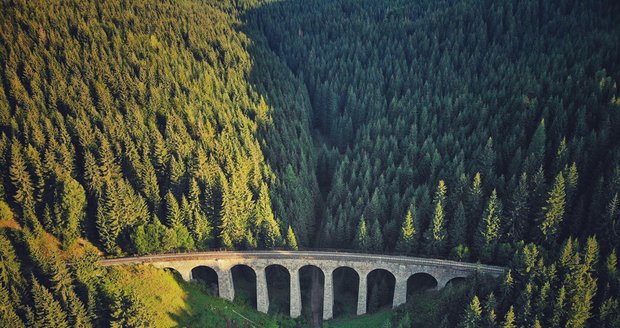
[{"x": 401, "y": 267}]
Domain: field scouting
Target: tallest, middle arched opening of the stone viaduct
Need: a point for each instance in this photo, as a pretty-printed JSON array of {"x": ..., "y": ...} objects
[{"x": 311, "y": 284}]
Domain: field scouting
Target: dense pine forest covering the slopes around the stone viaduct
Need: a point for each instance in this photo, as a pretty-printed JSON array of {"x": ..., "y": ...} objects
[{"x": 472, "y": 130}]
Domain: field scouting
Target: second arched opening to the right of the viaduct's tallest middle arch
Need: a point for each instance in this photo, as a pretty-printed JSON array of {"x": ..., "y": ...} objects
[{"x": 380, "y": 290}]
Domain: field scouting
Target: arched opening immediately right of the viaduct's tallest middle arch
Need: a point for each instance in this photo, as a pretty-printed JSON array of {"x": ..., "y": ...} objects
[{"x": 346, "y": 288}]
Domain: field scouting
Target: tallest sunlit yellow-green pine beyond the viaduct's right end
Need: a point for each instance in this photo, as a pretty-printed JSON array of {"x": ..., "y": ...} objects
[{"x": 554, "y": 210}]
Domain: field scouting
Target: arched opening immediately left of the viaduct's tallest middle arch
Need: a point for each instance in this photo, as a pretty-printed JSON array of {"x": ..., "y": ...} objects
[{"x": 279, "y": 288}]
